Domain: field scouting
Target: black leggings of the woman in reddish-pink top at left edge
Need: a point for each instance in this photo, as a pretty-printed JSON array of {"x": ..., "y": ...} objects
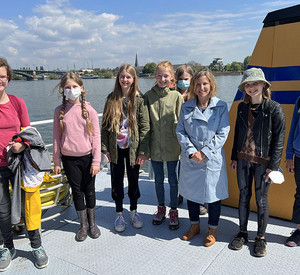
[{"x": 5, "y": 212}]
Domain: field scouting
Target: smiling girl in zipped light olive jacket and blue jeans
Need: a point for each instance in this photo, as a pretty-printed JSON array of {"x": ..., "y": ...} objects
[{"x": 164, "y": 109}]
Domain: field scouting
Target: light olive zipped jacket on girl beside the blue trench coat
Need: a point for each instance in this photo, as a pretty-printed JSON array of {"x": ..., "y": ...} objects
[{"x": 164, "y": 109}]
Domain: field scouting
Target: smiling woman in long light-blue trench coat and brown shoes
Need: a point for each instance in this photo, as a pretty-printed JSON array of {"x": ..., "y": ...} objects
[{"x": 202, "y": 130}]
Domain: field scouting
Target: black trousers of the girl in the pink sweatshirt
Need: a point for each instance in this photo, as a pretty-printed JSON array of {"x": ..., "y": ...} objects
[{"x": 77, "y": 170}]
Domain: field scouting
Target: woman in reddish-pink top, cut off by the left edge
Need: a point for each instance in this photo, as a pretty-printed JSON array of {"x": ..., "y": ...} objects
[{"x": 13, "y": 117}]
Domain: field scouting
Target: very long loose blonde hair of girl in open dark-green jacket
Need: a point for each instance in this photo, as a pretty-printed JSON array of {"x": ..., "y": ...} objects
[{"x": 114, "y": 105}]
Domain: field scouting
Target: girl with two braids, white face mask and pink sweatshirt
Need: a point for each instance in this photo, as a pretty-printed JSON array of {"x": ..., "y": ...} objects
[{"x": 76, "y": 143}]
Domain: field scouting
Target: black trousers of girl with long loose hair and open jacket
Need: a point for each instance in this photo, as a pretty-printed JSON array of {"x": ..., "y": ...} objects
[{"x": 117, "y": 181}]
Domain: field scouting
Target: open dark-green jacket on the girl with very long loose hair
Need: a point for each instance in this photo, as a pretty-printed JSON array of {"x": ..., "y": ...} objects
[{"x": 139, "y": 144}]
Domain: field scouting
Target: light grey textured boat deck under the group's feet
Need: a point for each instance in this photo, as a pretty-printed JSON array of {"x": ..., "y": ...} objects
[{"x": 154, "y": 249}]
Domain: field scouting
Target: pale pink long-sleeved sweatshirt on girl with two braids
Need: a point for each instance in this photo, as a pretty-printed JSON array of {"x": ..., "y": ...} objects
[{"x": 75, "y": 140}]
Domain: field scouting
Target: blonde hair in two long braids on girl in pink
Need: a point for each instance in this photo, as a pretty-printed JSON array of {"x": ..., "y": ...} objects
[{"x": 85, "y": 113}]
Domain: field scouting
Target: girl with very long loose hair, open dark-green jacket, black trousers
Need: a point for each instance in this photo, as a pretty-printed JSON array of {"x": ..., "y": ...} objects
[{"x": 124, "y": 135}]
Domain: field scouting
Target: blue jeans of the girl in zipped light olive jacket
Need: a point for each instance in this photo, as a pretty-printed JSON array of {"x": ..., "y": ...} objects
[{"x": 158, "y": 168}]
